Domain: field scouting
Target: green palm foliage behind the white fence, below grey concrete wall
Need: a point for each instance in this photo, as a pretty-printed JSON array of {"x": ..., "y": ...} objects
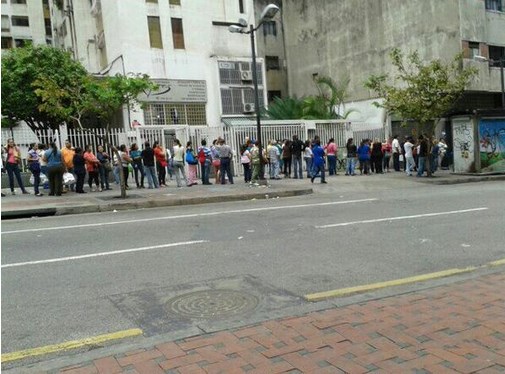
[{"x": 323, "y": 106}]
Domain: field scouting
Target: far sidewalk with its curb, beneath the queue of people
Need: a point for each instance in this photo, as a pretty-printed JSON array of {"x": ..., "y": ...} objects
[{"x": 71, "y": 203}]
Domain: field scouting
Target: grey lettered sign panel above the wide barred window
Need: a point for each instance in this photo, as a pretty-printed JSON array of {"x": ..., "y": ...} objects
[{"x": 177, "y": 91}]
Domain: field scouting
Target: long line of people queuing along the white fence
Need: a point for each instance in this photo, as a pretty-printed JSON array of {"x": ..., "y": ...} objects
[{"x": 155, "y": 164}]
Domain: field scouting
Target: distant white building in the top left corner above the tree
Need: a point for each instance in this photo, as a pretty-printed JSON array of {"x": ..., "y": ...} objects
[{"x": 25, "y": 21}]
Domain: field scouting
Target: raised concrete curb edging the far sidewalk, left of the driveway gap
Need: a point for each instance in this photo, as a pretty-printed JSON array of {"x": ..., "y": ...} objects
[{"x": 139, "y": 203}]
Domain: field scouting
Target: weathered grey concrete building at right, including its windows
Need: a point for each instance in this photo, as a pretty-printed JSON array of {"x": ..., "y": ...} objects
[{"x": 353, "y": 38}]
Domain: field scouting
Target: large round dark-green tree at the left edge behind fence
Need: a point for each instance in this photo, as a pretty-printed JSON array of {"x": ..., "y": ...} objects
[{"x": 21, "y": 68}]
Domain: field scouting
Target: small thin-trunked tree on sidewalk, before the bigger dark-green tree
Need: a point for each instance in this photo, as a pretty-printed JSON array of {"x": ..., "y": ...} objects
[{"x": 102, "y": 97}]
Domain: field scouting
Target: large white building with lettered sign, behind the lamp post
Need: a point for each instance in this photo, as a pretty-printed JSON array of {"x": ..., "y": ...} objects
[{"x": 203, "y": 71}]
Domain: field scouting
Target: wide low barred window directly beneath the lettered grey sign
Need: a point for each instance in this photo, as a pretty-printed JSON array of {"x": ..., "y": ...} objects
[{"x": 175, "y": 114}]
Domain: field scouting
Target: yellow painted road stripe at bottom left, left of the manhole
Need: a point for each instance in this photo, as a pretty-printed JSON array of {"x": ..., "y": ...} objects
[{"x": 73, "y": 344}]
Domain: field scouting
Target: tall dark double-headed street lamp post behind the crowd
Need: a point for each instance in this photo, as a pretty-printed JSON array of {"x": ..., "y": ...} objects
[{"x": 268, "y": 13}]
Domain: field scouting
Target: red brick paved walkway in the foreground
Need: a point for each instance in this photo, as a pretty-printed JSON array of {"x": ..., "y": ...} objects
[{"x": 458, "y": 328}]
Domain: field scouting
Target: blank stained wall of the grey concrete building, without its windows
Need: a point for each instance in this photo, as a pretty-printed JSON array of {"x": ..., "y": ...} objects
[{"x": 354, "y": 37}]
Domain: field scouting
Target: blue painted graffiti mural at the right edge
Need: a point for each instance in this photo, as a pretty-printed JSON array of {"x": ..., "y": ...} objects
[{"x": 492, "y": 145}]
